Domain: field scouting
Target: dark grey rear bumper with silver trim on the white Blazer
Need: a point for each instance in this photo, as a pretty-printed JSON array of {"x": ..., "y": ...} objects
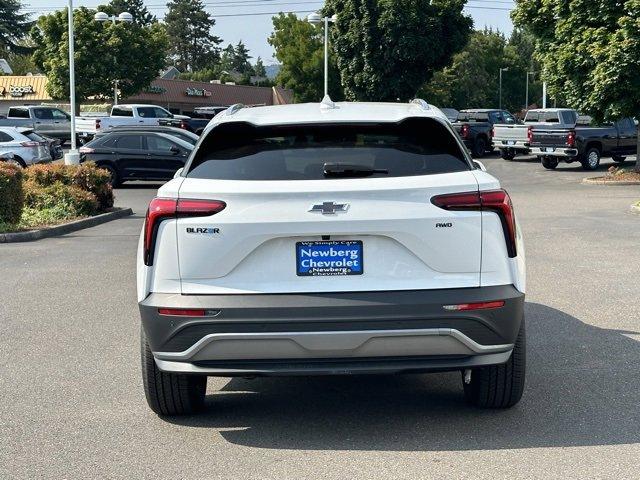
[{"x": 362, "y": 332}]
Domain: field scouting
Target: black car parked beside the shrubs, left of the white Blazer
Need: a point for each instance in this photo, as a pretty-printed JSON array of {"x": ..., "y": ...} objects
[{"x": 137, "y": 155}]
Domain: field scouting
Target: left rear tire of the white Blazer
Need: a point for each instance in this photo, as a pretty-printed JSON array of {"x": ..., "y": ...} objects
[{"x": 169, "y": 393}]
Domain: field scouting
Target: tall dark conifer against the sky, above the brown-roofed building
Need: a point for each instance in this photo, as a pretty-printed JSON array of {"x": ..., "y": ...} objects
[{"x": 193, "y": 46}]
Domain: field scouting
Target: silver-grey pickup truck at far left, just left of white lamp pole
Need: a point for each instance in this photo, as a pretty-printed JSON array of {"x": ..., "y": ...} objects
[{"x": 49, "y": 121}]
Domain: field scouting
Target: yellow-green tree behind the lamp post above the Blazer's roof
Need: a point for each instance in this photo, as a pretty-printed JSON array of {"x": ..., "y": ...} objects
[{"x": 299, "y": 49}]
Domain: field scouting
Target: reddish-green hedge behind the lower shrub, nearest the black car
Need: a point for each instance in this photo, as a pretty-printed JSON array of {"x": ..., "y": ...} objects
[{"x": 87, "y": 177}]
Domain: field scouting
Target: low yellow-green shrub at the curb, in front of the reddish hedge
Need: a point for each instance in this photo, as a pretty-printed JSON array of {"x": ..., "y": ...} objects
[{"x": 68, "y": 200}]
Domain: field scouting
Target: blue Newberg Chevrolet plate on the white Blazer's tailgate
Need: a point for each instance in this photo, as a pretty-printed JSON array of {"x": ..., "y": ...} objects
[{"x": 328, "y": 258}]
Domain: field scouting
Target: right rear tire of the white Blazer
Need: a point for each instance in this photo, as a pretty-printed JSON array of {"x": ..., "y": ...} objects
[{"x": 499, "y": 386}]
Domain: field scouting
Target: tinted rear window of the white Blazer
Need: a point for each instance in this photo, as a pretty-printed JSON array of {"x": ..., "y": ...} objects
[{"x": 240, "y": 151}]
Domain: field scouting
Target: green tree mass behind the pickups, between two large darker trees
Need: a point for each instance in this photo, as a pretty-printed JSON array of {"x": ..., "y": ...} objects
[{"x": 472, "y": 79}]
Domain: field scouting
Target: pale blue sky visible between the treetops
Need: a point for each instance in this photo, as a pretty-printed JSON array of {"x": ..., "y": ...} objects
[{"x": 245, "y": 20}]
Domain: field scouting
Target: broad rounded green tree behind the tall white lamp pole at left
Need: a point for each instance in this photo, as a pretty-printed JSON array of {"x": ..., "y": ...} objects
[{"x": 104, "y": 53}]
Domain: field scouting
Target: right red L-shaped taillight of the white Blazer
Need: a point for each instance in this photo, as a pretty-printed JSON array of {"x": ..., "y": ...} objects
[{"x": 497, "y": 201}]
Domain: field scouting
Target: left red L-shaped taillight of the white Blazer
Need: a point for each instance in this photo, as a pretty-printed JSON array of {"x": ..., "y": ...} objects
[{"x": 164, "y": 208}]
